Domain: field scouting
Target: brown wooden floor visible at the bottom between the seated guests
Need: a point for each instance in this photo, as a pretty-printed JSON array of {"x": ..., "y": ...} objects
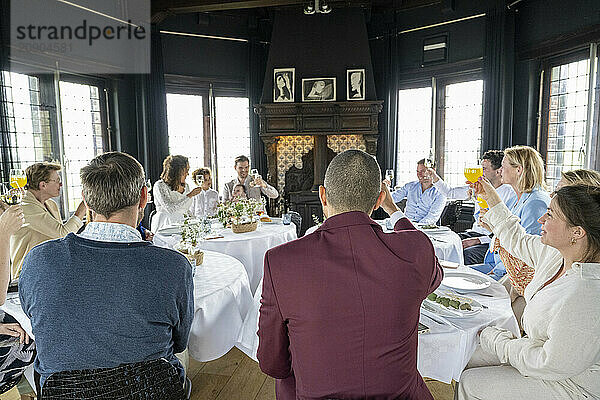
[{"x": 235, "y": 376}]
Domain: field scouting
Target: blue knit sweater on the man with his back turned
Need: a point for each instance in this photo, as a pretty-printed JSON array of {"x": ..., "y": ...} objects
[{"x": 99, "y": 304}]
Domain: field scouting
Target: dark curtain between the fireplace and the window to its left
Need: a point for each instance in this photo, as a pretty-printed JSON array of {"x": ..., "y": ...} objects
[{"x": 257, "y": 57}]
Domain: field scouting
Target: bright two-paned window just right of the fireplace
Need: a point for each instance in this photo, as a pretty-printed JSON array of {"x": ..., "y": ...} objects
[{"x": 455, "y": 139}]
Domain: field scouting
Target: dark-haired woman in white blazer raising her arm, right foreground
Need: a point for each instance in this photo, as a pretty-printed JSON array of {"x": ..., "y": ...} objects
[{"x": 559, "y": 358}]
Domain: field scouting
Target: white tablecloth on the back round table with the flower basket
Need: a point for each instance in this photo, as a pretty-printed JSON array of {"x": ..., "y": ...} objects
[{"x": 249, "y": 248}]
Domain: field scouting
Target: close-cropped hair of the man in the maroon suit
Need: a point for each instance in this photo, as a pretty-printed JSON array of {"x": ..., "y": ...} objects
[{"x": 353, "y": 182}]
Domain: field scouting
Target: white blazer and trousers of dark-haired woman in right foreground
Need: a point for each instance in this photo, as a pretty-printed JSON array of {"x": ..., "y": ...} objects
[{"x": 560, "y": 356}]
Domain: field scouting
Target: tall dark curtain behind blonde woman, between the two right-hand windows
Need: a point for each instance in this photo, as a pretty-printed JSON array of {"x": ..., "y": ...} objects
[{"x": 499, "y": 82}]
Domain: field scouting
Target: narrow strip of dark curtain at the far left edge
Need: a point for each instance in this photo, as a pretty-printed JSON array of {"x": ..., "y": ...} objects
[{"x": 5, "y": 153}]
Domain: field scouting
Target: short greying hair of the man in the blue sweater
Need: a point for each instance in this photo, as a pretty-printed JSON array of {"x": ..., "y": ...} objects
[{"x": 112, "y": 182}]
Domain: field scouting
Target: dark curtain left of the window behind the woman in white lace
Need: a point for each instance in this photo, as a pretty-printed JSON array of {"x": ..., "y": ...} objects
[{"x": 153, "y": 107}]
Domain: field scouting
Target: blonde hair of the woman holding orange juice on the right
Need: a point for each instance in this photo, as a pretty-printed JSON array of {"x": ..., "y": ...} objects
[{"x": 532, "y": 164}]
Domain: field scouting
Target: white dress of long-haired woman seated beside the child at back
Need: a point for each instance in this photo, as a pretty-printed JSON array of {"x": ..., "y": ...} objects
[{"x": 170, "y": 205}]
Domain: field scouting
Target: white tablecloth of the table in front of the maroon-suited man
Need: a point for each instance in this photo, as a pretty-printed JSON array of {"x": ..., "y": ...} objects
[{"x": 444, "y": 352}]
